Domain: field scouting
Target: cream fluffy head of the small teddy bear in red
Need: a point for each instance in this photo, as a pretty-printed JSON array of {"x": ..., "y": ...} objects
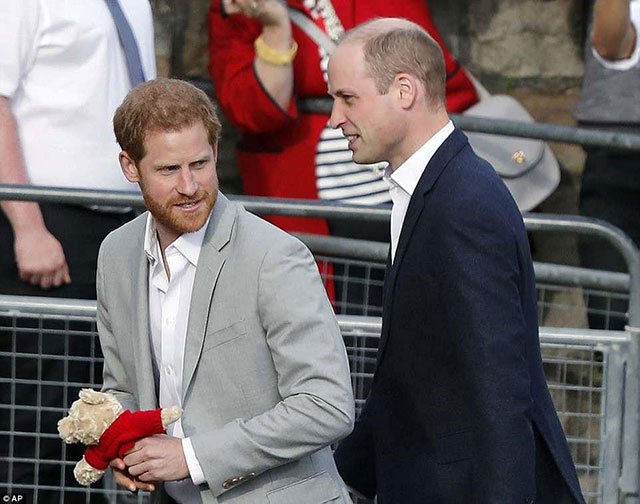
[{"x": 89, "y": 417}]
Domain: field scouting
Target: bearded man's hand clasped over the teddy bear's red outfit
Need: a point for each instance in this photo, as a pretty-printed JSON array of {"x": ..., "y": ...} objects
[{"x": 157, "y": 458}]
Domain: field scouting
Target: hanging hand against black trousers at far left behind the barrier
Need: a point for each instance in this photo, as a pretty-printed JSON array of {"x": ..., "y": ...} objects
[{"x": 40, "y": 258}]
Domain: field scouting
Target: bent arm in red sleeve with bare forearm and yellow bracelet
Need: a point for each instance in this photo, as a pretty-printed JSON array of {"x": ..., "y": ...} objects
[{"x": 255, "y": 95}]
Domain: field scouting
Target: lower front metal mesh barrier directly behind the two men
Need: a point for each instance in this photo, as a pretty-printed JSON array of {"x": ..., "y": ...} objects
[{"x": 587, "y": 373}]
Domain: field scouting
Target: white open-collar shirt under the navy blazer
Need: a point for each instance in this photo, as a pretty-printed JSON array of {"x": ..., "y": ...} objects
[{"x": 403, "y": 181}]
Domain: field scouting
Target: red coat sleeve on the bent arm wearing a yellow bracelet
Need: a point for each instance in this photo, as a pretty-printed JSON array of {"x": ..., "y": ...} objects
[{"x": 238, "y": 89}]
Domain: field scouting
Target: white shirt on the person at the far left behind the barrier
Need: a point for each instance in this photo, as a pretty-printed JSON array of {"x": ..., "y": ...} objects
[{"x": 64, "y": 71}]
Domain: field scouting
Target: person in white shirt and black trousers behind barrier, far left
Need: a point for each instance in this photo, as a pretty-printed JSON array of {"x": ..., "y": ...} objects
[{"x": 63, "y": 72}]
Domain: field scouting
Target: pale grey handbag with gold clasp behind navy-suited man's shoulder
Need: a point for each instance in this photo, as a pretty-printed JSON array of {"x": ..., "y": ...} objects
[{"x": 527, "y": 166}]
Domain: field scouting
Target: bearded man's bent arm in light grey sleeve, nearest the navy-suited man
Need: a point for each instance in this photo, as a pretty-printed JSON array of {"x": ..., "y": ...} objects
[{"x": 317, "y": 406}]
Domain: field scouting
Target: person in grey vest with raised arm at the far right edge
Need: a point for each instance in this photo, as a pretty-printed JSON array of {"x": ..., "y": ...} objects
[{"x": 610, "y": 181}]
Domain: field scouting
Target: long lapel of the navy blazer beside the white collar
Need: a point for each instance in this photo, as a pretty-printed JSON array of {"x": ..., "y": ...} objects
[{"x": 449, "y": 148}]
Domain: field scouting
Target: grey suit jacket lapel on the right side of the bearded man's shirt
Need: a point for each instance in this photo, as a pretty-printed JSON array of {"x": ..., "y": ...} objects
[{"x": 209, "y": 266}]
